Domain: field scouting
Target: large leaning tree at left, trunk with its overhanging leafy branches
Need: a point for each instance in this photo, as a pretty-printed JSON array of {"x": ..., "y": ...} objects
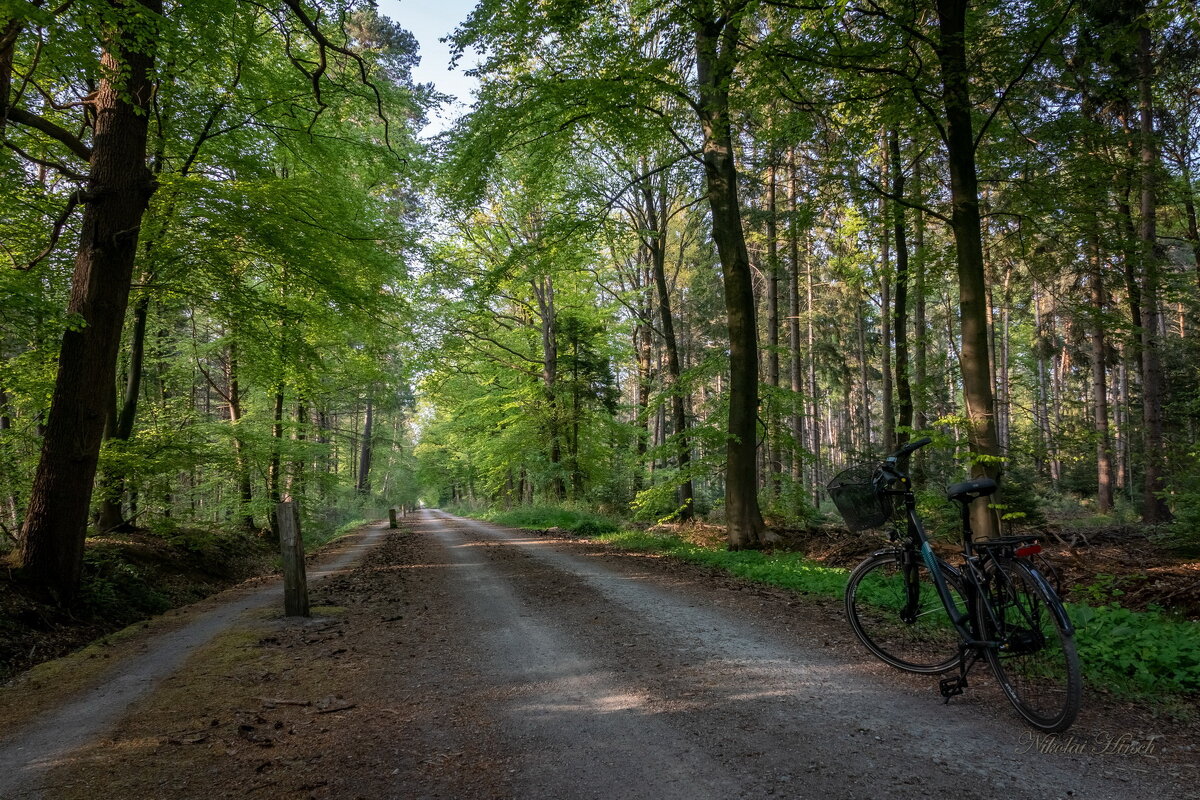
[{"x": 116, "y": 176}]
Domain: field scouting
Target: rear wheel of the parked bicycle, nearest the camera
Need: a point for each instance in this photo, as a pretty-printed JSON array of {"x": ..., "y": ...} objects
[{"x": 1036, "y": 666}]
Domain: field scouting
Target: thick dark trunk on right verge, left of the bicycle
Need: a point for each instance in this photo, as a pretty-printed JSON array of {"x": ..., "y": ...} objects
[{"x": 717, "y": 43}]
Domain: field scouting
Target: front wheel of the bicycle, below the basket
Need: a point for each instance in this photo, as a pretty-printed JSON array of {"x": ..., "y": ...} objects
[{"x": 875, "y": 599}]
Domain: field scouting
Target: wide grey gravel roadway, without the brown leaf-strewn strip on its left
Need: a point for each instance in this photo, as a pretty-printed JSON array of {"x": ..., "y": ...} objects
[{"x": 613, "y": 684}]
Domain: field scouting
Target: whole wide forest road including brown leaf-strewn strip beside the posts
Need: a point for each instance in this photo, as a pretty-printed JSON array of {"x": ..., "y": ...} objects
[{"x": 461, "y": 660}]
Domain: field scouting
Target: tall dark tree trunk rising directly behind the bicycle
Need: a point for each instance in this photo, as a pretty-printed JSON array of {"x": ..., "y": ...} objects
[{"x": 961, "y": 147}]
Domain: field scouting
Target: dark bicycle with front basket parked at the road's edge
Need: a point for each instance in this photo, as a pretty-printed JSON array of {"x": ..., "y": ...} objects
[{"x": 923, "y": 615}]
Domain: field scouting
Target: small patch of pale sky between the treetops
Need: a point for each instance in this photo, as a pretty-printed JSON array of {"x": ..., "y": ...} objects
[{"x": 430, "y": 21}]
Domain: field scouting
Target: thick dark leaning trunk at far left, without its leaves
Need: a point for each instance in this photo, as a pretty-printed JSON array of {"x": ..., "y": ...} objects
[{"x": 118, "y": 195}]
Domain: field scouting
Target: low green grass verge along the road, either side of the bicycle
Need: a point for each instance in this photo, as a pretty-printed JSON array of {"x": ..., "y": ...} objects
[{"x": 1131, "y": 654}]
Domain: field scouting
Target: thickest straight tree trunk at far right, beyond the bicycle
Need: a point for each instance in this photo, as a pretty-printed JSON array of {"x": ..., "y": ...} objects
[{"x": 1154, "y": 507}]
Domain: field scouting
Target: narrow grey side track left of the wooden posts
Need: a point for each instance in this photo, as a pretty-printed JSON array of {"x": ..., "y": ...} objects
[{"x": 29, "y": 751}]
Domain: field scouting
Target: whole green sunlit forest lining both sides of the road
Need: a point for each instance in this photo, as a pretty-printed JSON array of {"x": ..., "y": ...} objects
[{"x": 680, "y": 261}]
